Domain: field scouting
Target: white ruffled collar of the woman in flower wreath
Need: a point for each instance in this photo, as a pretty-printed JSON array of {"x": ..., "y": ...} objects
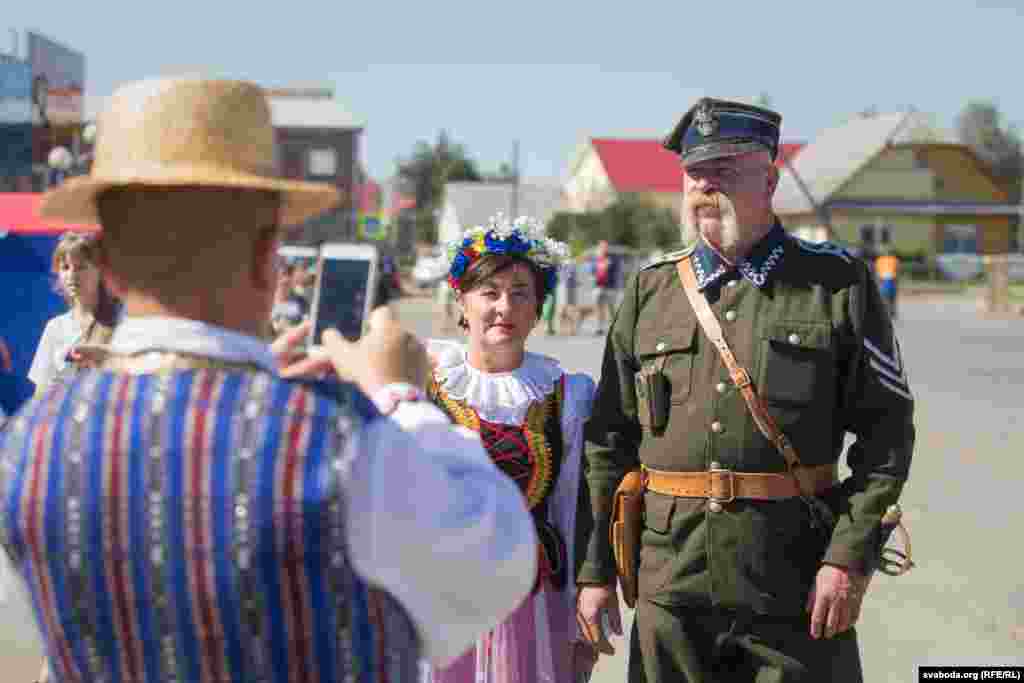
[{"x": 503, "y": 398}]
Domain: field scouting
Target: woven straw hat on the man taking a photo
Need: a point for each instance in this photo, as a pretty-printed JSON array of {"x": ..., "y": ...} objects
[{"x": 186, "y": 132}]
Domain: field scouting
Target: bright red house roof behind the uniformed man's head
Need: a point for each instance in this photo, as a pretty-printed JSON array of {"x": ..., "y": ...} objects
[{"x": 644, "y": 165}]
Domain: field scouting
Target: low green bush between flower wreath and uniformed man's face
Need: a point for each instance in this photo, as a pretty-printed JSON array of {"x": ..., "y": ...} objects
[{"x": 630, "y": 222}]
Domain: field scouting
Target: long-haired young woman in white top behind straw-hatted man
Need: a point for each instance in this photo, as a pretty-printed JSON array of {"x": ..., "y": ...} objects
[{"x": 94, "y": 311}]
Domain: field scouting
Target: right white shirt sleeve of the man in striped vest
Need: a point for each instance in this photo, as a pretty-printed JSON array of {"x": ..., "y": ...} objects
[{"x": 434, "y": 522}]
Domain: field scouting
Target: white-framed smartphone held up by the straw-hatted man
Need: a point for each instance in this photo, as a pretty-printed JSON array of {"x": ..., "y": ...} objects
[{"x": 344, "y": 295}]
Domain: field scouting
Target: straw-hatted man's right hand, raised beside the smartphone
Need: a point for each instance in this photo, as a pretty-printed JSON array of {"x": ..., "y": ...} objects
[{"x": 387, "y": 355}]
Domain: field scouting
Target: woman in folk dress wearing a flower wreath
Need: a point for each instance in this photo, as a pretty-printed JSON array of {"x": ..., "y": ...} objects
[{"x": 530, "y": 414}]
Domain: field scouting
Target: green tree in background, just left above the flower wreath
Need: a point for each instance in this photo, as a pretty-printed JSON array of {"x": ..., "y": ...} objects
[{"x": 426, "y": 172}]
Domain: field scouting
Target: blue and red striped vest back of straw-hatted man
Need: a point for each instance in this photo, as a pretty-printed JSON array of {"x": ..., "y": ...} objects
[{"x": 190, "y": 526}]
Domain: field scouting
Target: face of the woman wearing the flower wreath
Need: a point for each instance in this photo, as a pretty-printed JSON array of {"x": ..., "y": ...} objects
[{"x": 502, "y": 311}]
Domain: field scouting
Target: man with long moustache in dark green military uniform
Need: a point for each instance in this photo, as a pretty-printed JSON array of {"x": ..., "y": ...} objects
[{"x": 749, "y": 580}]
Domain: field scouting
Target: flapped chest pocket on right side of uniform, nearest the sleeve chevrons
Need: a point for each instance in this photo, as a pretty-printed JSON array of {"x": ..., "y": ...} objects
[{"x": 798, "y": 364}]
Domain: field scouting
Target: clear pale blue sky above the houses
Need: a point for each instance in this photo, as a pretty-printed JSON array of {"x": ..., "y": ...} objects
[{"x": 550, "y": 73}]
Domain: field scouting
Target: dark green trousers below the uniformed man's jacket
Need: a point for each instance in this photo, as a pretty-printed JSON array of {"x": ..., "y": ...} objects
[{"x": 688, "y": 646}]
